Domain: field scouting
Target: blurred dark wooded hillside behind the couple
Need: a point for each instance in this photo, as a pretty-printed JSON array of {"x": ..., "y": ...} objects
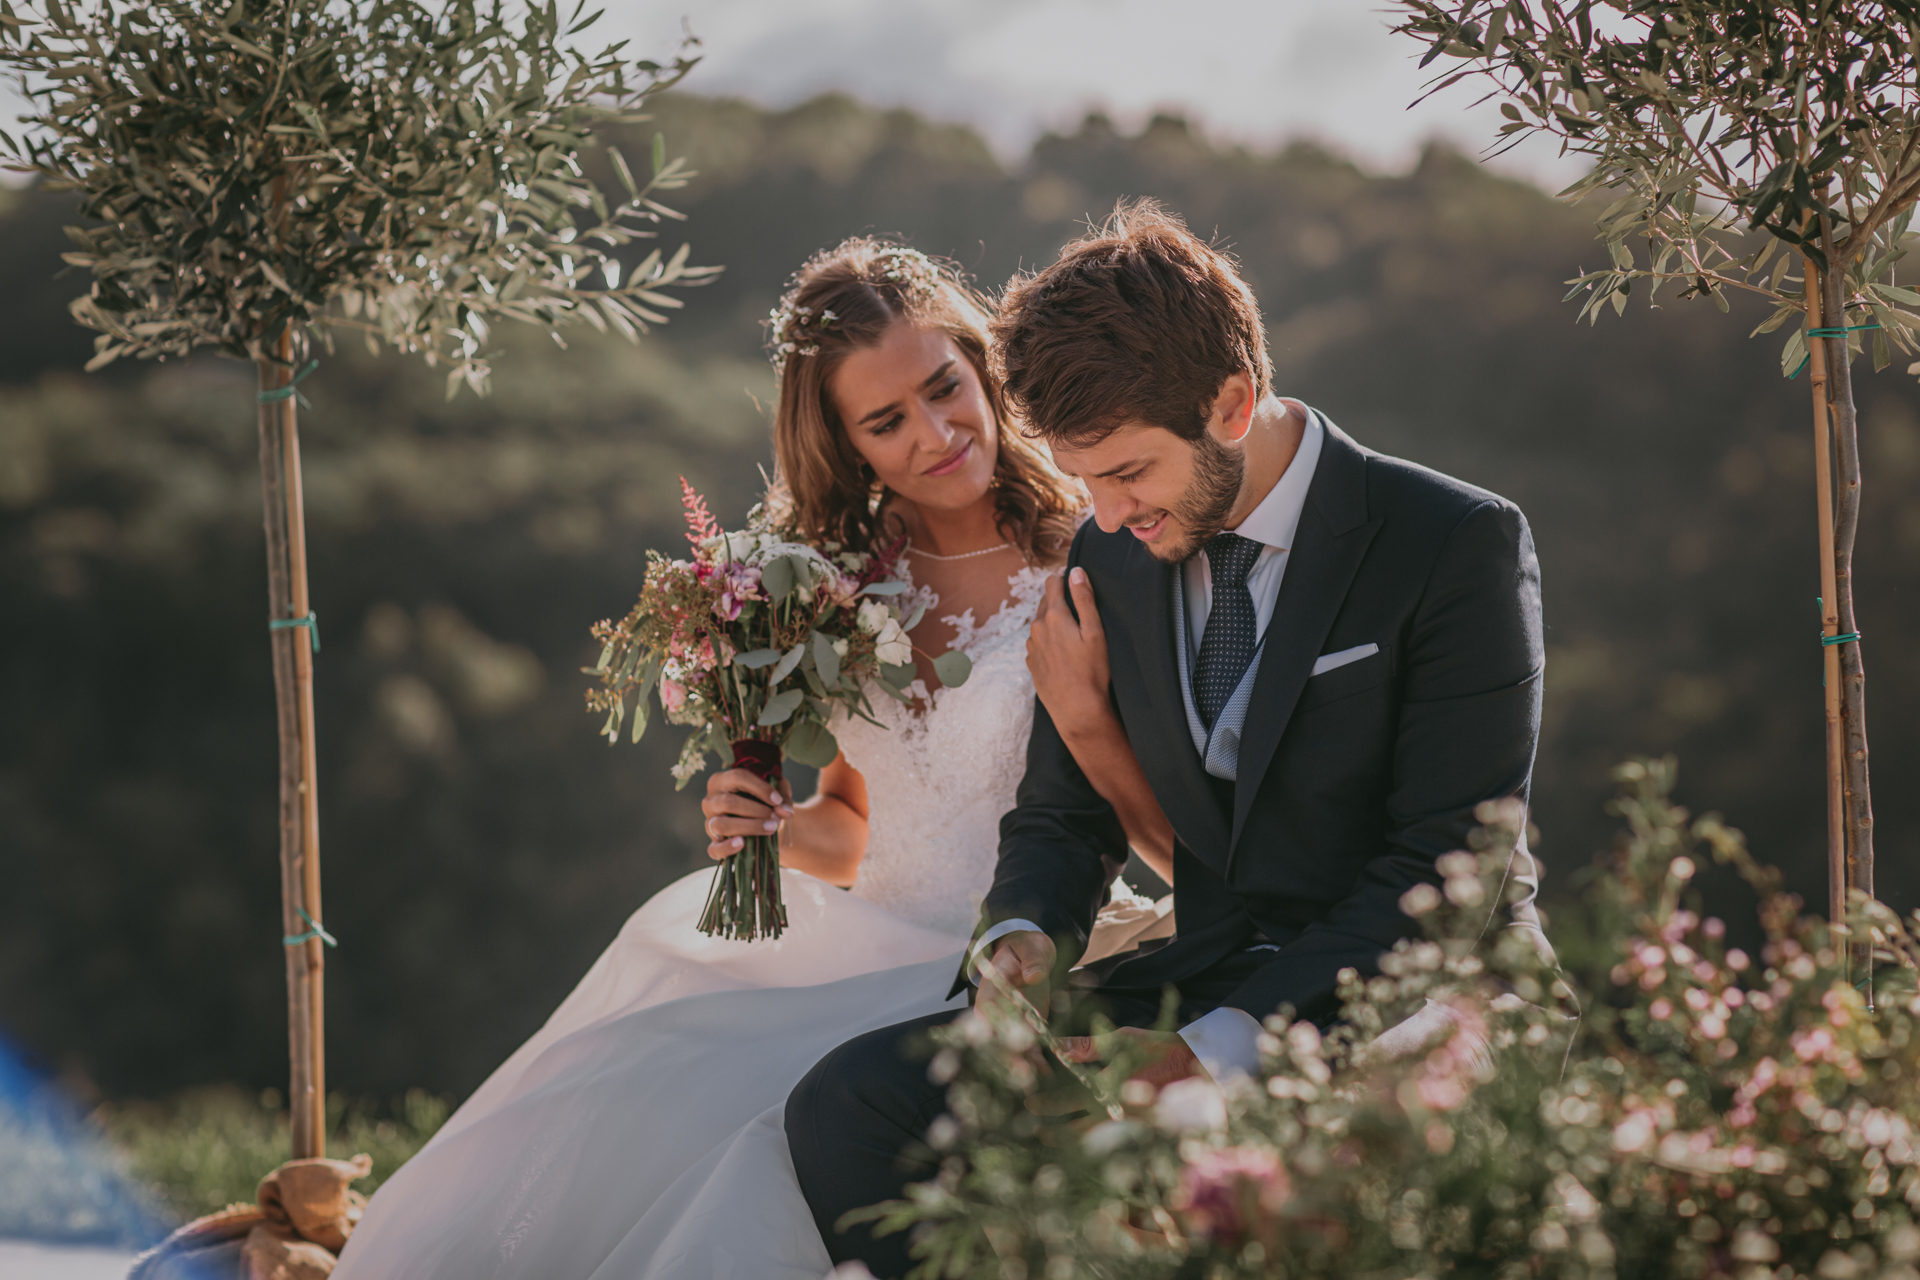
[{"x": 481, "y": 845}]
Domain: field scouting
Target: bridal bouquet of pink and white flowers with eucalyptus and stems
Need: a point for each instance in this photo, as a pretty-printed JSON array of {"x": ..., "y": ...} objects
[{"x": 754, "y": 644}]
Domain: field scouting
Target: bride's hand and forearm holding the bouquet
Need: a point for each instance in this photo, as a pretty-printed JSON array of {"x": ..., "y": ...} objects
[{"x": 825, "y": 838}]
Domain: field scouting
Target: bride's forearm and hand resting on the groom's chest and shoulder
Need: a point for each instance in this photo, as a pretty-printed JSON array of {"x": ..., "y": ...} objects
[{"x": 1068, "y": 663}]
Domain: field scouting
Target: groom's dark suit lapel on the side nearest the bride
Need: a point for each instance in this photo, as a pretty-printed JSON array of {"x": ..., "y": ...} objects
[{"x": 1188, "y": 795}]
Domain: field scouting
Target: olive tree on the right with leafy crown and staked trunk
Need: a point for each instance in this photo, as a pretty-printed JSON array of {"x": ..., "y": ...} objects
[{"x": 1739, "y": 147}]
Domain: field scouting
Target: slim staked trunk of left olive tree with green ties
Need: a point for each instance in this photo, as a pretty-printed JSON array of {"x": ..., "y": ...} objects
[{"x": 300, "y": 834}]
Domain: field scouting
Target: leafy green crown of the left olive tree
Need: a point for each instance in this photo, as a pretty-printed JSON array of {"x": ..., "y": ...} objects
[{"x": 402, "y": 170}]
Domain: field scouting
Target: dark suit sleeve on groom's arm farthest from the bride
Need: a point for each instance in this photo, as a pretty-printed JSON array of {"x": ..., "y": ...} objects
[{"x": 1470, "y": 724}]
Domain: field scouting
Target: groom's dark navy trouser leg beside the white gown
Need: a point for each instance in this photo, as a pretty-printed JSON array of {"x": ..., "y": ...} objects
[{"x": 850, "y": 1126}]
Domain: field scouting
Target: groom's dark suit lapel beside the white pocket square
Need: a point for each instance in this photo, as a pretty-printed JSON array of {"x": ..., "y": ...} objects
[{"x": 1330, "y": 546}]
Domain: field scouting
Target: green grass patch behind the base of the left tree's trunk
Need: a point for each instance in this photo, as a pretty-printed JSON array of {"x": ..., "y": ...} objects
[{"x": 208, "y": 1149}]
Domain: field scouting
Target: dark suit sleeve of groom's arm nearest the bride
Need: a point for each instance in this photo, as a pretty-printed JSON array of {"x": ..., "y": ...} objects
[{"x": 1061, "y": 845}]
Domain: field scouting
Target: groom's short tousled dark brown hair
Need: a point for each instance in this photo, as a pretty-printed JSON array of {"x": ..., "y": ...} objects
[{"x": 1140, "y": 321}]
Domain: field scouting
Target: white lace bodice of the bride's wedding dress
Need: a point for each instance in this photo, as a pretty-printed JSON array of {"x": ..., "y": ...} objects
[{"x": 940, "y": 780}]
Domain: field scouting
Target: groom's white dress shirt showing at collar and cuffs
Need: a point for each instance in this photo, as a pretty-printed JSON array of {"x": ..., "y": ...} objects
[{"x": 1228, "y": 1041}]
